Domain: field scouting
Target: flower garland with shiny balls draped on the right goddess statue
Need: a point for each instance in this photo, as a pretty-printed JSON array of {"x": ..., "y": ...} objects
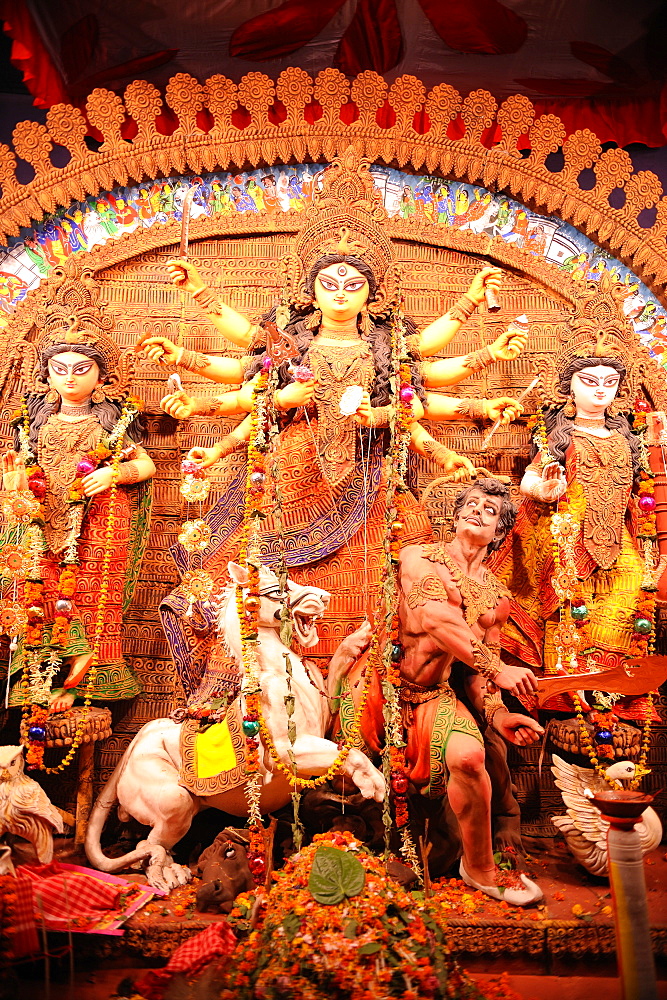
[{"x": 572, "y": 634}]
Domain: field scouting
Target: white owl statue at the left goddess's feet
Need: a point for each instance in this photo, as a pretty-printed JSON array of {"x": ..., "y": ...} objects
[{"x": 25, "y": 809}]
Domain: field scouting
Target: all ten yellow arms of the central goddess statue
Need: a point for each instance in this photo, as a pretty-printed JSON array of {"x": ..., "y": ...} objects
[{"x": 436, "y": 374}]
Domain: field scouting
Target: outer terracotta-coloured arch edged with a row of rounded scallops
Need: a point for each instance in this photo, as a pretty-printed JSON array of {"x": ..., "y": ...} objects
[{"x": 220, "y": 124}]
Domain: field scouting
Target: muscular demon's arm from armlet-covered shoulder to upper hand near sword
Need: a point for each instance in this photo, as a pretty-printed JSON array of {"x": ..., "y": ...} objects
[{"x": 433, "y": 608}]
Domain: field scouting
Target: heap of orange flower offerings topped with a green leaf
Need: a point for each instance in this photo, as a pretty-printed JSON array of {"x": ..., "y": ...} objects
[{"x": 334, "y": 925}]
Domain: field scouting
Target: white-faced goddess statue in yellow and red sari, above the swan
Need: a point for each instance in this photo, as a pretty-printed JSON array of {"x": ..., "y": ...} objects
[{"x": 580, "y": 586}]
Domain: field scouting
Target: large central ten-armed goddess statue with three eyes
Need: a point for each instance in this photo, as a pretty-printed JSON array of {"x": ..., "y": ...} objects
[{"x": 334, "y": 403}]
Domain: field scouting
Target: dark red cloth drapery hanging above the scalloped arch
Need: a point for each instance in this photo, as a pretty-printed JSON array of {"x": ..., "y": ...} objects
[{"x": 598, "y": 74}]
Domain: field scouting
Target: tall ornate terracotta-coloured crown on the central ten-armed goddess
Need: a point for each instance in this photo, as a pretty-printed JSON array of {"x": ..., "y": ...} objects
[{"x": 346, "y": 218}]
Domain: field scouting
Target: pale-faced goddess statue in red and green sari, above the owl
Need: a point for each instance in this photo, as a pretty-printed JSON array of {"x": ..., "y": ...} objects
[{"x": 75, "y": 539}]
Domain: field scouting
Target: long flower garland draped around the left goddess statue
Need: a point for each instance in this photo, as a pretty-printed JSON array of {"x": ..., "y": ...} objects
[{"x": 36, "y": 678}]
